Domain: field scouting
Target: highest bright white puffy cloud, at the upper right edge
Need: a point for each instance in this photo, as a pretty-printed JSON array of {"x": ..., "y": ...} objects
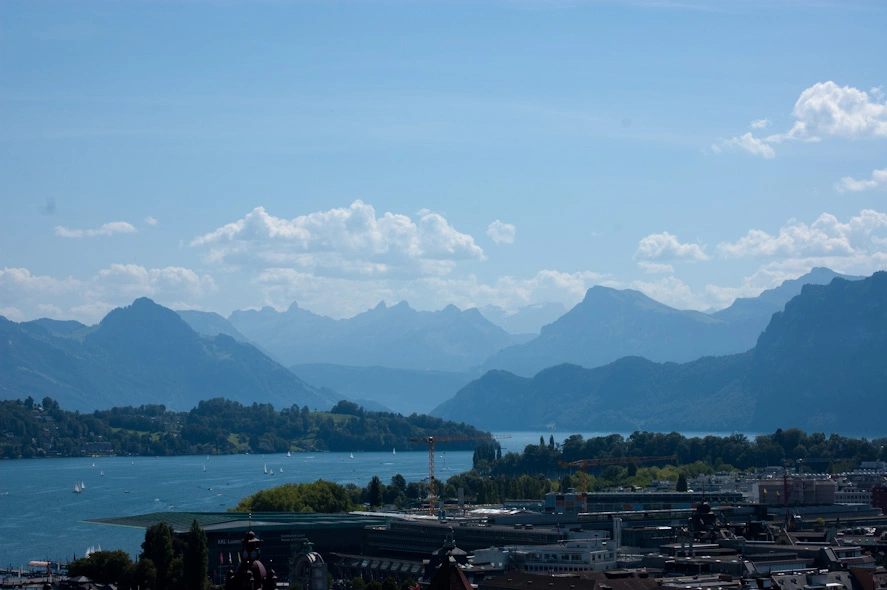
[{"x": 824, "y": 110}]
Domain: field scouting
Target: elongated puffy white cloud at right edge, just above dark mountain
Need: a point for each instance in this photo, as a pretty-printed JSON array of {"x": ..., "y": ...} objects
[{"x": 825, "y": 237}]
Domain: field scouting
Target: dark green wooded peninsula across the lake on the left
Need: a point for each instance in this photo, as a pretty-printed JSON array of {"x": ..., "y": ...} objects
[{"x": 217, "y": 426}]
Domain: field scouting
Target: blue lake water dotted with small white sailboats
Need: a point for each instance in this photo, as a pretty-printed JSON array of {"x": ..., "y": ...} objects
[{"x": 42, "y": 518}]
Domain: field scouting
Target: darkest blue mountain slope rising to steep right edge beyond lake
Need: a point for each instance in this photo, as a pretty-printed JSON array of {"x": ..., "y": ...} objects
[{"x": 818, "y": 366}]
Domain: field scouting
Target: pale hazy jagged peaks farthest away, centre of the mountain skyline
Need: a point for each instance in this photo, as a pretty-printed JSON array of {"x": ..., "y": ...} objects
[{"x": 397, "y": 337}]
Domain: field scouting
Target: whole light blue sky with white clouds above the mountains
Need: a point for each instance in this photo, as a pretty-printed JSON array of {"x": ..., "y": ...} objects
[{"x": 231, "y": 155}]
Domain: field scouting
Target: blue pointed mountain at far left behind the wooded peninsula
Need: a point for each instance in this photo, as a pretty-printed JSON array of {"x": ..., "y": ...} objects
[{"x": 142, "y": 354}]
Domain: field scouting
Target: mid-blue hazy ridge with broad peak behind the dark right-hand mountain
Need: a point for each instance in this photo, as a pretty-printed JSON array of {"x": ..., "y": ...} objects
[{"x": 610, "y": 324}]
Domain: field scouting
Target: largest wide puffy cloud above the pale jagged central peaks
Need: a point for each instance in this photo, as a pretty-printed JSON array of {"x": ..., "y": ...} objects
[{"x": 347, "y": 242}]
